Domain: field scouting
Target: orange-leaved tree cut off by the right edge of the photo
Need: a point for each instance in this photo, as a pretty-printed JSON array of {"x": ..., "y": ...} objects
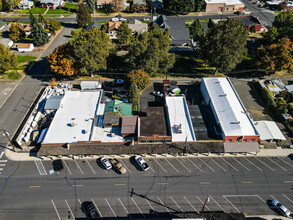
[{"x": 278, "y": 56}]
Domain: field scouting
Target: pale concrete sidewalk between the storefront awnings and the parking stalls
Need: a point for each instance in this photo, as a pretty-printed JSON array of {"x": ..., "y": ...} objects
[{"x": 11, "y": 155}]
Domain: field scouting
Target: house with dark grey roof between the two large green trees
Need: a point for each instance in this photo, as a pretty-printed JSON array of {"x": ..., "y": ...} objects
[{"x": 179, "y": 34}]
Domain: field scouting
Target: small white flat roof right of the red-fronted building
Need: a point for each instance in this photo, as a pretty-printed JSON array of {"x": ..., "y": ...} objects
[{"x": 269, "y": 130}]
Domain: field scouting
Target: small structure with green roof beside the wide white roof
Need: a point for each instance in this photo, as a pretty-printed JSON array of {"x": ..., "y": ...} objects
[{"x": 125, "y": 109}]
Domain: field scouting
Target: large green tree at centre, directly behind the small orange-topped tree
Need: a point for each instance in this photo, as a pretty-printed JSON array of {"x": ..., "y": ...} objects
[{"x": 149, "y": 51}]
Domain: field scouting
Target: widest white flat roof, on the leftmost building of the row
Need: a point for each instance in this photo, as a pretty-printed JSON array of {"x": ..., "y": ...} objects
[{"x": 80, "y": 106}]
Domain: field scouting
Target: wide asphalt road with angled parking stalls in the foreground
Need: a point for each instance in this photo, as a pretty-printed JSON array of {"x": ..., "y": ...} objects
[{"x": 28, "y": 191}]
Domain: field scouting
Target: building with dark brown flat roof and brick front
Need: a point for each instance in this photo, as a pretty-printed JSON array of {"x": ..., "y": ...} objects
[{"x": 153, "y": 127}]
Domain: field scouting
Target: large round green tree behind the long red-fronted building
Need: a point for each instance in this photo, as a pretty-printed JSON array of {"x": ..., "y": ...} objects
[{"x": 224, "y": 45}]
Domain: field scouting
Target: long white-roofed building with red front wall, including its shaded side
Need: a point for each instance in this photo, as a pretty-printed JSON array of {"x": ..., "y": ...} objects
[{"x": 233, "y": 121}]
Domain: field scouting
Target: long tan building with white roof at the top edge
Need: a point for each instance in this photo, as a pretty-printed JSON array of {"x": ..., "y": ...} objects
[{"x": 219, "y": 6}]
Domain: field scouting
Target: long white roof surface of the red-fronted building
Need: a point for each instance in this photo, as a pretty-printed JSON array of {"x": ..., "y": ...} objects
[{"x": 229, "y": 108}]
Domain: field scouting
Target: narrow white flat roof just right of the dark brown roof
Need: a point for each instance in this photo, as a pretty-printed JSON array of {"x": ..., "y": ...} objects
[{"x": 178, "y": 113}]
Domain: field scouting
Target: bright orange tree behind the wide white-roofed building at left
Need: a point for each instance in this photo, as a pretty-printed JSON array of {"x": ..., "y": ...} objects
[{"x": 61, "y": 61}]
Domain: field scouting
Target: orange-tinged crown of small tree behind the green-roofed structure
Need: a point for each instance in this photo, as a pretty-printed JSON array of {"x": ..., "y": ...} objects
[{"x": 140, "y": 78}]
